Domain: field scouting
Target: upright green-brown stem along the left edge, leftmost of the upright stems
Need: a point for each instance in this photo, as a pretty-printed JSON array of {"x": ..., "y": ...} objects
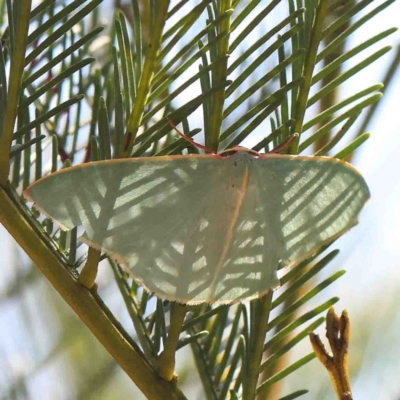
[{"x": 14, "y": 89}]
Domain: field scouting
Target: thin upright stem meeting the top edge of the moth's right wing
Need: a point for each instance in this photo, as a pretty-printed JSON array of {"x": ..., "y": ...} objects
[{"x": 315, "y": 39}]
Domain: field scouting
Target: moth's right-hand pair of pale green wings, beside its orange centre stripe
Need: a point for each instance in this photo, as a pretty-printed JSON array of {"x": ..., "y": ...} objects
[{"x": 292, "y": 207}]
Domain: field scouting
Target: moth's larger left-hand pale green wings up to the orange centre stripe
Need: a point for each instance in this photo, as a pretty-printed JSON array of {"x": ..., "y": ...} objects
[{"x": 166, "y": 218}]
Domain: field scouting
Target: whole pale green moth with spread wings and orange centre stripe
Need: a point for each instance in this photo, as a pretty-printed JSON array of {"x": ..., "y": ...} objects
[{"x": 206, "y": 228}]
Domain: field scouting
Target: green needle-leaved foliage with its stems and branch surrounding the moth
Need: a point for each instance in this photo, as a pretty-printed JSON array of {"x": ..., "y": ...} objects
[{"x": 72, "y": 91}]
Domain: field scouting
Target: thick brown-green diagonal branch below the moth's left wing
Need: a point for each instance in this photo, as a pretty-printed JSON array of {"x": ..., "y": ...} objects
[{"x": 81, "y": 300}]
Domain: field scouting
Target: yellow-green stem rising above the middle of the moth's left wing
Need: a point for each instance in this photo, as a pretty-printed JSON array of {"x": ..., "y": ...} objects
[{"x": 146, "y": 78}]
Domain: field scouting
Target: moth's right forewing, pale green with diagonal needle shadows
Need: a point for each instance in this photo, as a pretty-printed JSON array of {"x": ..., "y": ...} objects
[{"x": 320, "y": 198}]
